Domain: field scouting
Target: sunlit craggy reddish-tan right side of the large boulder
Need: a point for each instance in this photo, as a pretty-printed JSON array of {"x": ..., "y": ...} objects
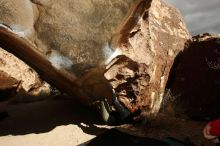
[{"x": 149, "y": 42}]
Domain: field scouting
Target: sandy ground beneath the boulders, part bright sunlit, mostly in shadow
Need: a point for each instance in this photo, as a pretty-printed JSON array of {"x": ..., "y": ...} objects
[{"x": 61, "y": 122}]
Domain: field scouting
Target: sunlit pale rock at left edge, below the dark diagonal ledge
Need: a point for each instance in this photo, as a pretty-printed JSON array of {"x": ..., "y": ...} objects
[{"x": 25, "y": 79}]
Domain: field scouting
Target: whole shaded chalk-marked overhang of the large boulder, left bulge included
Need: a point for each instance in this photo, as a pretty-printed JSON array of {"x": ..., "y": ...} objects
[{"x": 78, "y": 30}]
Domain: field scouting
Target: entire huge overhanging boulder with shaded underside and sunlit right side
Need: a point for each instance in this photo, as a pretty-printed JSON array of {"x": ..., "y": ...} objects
[{"x": 137, "y": 40}]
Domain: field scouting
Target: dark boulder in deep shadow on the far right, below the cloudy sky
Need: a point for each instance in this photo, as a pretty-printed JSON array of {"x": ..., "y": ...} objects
[{"x": 195, "y": 84}]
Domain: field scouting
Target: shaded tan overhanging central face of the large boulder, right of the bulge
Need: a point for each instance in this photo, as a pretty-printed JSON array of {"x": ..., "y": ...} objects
[{"x": 80, "y": 30}]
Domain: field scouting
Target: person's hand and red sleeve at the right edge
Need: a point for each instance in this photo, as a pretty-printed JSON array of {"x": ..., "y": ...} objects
[{"x": 212, "y": 131}]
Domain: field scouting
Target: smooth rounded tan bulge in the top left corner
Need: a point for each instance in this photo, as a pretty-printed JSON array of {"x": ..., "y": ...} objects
[{"x": 19, "y": 15}]
